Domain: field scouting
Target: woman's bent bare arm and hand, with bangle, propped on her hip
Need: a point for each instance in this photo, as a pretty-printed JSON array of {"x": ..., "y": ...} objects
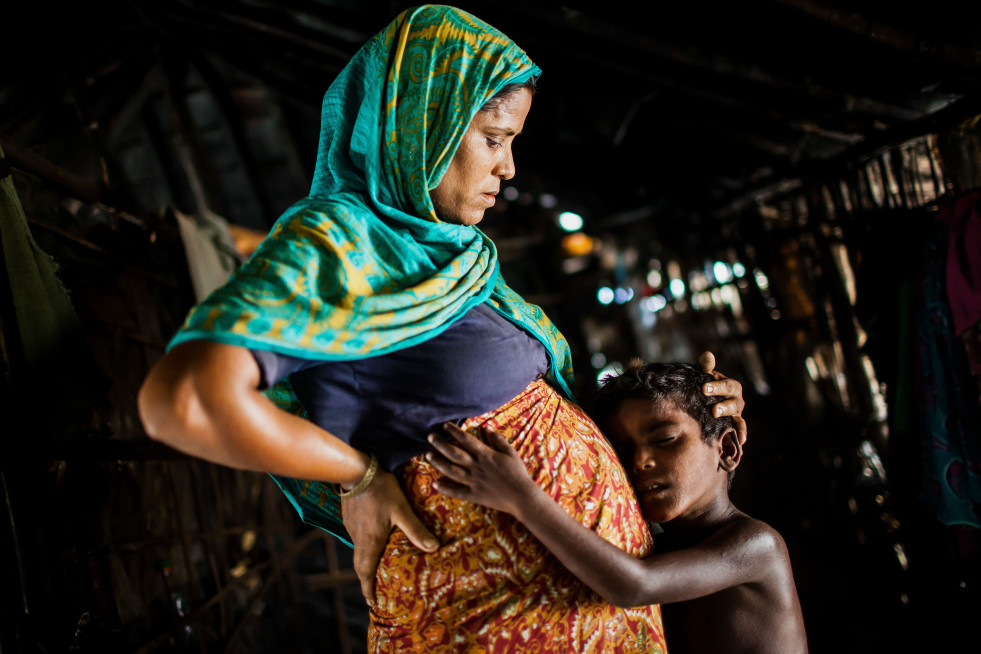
[{"x": 202, "y": 398}]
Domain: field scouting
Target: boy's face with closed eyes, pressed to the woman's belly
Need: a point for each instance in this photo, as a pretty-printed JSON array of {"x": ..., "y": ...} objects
[{"x": 675, "y": 473}]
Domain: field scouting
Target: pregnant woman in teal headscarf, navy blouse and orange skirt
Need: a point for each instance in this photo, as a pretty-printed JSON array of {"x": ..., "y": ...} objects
[{"x": 378, "y": 304}]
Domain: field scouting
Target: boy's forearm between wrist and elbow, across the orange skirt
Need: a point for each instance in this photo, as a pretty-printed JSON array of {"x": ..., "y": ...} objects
[{"x": 602, "y": 566}]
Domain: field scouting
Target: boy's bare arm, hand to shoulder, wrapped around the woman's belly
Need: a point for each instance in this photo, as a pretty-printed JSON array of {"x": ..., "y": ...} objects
[{"x": 493, "y": 475}]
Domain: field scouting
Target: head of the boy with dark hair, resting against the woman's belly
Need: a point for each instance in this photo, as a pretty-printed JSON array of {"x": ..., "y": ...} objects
[{"x": 678, "y": 454}]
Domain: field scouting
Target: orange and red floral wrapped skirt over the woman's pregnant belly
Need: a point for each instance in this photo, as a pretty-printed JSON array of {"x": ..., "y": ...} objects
[{"x": 492, "y": 586}]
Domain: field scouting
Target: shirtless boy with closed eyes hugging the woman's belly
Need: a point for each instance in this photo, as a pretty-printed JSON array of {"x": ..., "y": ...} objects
[{"x": 725, "y": 576}]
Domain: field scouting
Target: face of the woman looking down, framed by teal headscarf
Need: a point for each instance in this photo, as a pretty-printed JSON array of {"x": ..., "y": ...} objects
[{"x": 484, "y": 158}]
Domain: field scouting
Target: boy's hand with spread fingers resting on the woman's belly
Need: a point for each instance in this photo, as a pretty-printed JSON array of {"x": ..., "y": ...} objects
[{"x": 490, "y": 474}]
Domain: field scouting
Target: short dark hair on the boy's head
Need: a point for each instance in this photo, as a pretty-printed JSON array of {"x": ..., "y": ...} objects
[{"x": 680, "y": 383}]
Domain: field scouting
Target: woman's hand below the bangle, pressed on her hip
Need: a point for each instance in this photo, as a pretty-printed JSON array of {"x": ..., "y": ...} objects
[{"x": 369, "y": 518}]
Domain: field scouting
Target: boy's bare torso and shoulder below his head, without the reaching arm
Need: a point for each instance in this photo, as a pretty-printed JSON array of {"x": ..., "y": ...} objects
[{"x": 761, "y": 615}]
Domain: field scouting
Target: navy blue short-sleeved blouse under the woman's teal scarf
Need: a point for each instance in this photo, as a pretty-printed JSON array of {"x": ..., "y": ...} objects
[{"x": 388, "y": 404}]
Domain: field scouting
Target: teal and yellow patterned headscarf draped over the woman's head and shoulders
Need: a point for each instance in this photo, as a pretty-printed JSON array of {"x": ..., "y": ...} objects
[{"x": 363, "y": 265}]
